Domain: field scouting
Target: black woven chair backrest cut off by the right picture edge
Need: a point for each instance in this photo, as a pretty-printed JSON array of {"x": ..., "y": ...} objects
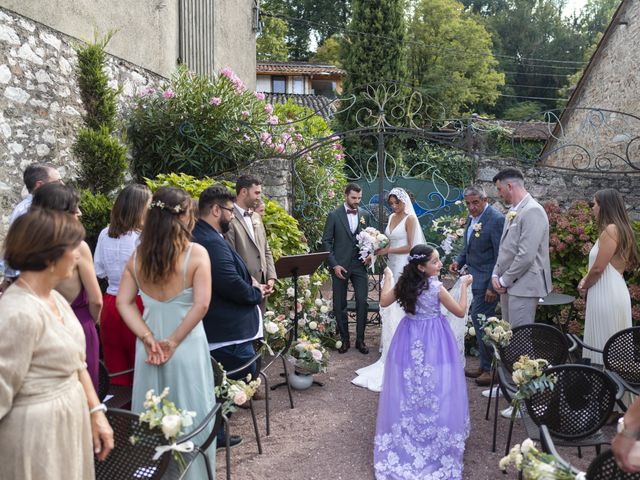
[{"x": 621, "y": 354}]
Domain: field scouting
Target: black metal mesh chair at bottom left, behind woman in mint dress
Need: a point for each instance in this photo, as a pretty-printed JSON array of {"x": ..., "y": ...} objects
[{"x": 135, "y": 459}]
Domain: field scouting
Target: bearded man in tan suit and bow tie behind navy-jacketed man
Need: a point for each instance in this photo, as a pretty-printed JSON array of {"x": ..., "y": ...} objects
[{"x": 247, "y": 234}]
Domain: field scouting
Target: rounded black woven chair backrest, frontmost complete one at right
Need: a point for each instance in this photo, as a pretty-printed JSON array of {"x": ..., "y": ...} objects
[{"x": 579, "y": 403}]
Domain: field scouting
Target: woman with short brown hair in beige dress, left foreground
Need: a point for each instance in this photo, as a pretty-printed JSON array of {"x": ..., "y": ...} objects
[{"x": 49, "y": 410}]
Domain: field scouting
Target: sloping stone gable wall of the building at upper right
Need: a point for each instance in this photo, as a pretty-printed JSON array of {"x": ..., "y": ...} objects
[{"x": 592, "y": 139}]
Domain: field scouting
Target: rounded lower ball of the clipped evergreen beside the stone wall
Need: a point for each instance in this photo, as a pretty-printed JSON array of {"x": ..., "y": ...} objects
[{"x": 103, "y": 159}]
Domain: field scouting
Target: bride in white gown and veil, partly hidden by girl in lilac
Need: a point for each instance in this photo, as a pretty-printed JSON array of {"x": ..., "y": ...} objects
[{"x": 404, "y": 232}]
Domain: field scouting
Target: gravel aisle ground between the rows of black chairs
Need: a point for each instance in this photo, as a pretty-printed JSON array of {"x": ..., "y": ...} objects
[{"x": 329, "y": 433}]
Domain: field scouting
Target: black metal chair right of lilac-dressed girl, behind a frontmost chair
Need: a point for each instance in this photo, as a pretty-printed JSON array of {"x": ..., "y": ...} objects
[{"x": 536, "y": 340}]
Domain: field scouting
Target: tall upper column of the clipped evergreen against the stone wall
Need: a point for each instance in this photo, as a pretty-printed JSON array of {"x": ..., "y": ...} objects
[{"x": 98, "y": 99}]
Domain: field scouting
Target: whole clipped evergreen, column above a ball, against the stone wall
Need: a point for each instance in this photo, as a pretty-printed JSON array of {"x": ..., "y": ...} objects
[{"x": 103, "y": 160}]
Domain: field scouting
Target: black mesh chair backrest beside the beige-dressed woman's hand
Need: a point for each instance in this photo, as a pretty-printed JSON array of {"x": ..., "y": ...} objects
[{"x": 132, "y": 456}]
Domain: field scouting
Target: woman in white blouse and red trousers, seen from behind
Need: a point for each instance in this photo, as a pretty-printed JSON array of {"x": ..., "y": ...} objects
[{"x": 115, "y": 246}]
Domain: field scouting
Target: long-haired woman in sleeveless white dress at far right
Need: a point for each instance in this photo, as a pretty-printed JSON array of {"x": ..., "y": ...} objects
[{"x": 608, "y": 302}]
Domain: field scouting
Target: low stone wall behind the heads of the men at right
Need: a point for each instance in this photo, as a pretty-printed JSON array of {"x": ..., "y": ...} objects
[{"x": 561, "y": 186}]
